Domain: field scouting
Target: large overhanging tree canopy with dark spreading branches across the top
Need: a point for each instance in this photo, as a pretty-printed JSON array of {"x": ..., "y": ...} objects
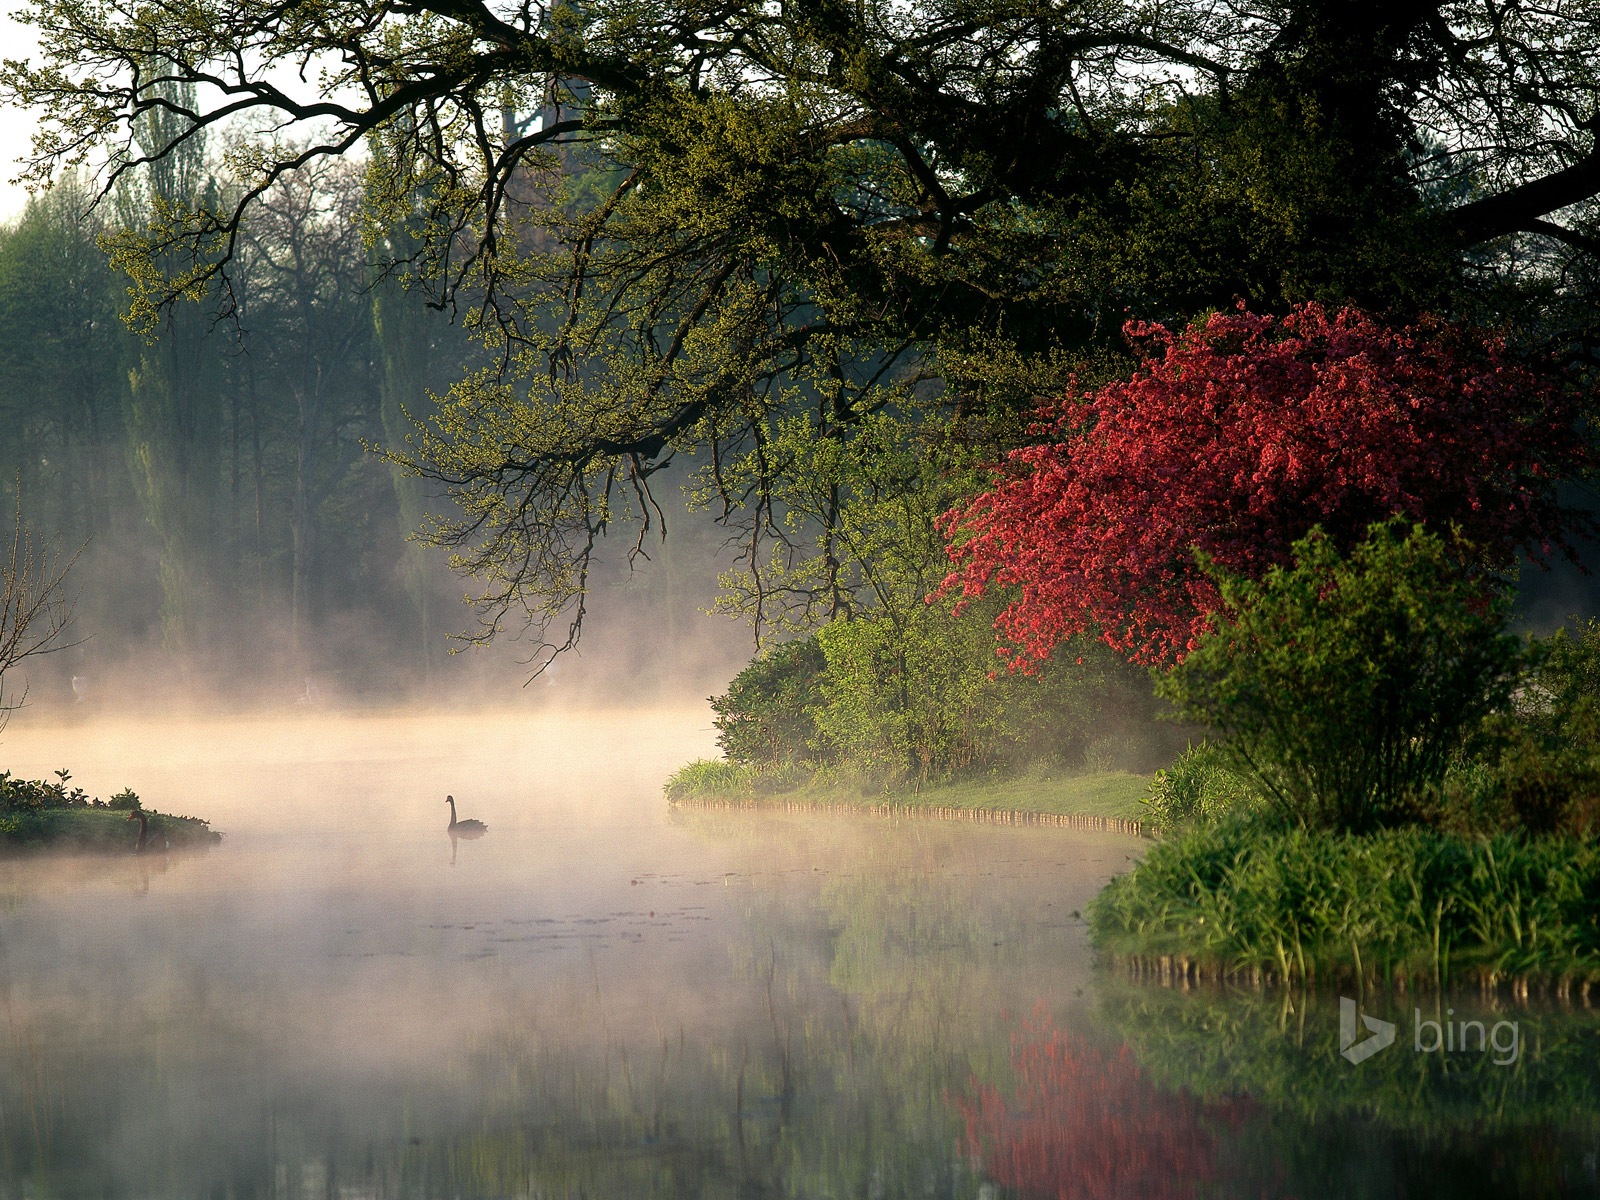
[{"x": 676, "y": 222}]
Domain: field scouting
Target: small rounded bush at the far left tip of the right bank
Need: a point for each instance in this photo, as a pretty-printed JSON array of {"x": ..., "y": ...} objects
[{"x": 767, "y": 716}]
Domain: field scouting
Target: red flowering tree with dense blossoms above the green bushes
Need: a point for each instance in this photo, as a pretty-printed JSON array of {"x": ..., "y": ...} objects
[{"x": 1236, "y": 438}]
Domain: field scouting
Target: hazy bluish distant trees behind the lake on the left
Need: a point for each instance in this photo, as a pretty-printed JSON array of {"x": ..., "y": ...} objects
[{"x": 217, "y": 471}]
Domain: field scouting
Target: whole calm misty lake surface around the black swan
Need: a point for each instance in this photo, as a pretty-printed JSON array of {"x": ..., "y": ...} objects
[{"x": 604, "y": 999}]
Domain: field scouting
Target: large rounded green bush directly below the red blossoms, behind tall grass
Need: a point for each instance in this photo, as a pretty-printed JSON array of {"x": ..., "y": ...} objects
[{"x": 1343, "y": 689}]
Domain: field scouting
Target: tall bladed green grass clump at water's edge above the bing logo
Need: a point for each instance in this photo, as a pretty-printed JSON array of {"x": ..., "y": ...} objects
[{"x": 1399, "y": 905}]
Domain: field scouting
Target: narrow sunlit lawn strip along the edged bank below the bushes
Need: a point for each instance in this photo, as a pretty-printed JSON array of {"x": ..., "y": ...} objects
[{"x": 1111, "y": 798}]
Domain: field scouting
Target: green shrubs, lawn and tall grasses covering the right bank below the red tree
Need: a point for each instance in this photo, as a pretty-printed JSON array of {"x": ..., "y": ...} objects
[{"x": 1401, "y": 796}]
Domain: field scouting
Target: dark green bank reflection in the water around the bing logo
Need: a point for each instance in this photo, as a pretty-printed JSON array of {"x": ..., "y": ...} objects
[{"x": 1426, "y": 1116}]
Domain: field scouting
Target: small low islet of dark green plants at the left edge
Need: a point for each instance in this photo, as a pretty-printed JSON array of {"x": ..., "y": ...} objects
[{"x": 39, "y": 817}]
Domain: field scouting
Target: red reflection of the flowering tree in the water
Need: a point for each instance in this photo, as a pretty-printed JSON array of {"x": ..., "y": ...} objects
[{"x": 1086, "y": 1126}]
